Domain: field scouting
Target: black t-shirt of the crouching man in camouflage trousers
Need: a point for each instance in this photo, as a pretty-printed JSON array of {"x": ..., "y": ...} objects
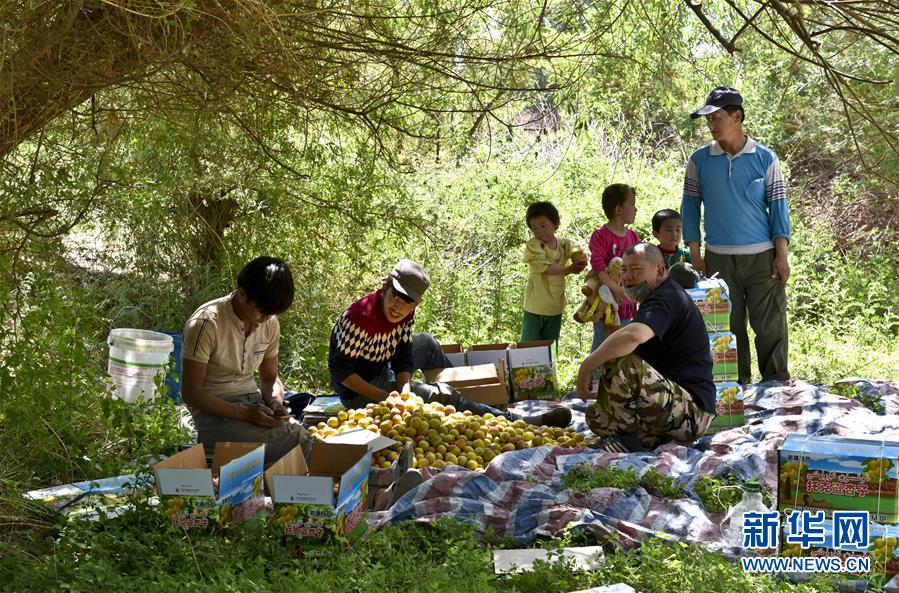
[{"x": 680, "y": 348}]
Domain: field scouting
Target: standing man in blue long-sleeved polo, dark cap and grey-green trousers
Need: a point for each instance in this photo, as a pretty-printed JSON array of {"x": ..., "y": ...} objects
[{"x": 738, "y": 185}]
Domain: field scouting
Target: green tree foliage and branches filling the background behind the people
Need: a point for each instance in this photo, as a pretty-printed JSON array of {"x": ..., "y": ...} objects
[{"x": 184, "y": 138}]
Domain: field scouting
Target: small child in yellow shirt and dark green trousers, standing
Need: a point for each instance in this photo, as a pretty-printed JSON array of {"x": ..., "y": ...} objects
[{"x": 547, "y": 256}]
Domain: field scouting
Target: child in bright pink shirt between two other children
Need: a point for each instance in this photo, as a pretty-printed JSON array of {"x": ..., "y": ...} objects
[{"x": 610, "y": 240}]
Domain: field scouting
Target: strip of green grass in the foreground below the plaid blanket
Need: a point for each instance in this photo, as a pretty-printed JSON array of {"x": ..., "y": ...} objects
[{"x": 140, "y": 552}]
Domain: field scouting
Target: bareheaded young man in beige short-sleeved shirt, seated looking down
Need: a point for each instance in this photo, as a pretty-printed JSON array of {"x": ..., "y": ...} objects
[{"x": 225, "y": 342}]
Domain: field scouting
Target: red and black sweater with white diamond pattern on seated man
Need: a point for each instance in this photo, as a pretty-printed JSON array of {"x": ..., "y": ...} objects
[{"x": 363, "y": 342}]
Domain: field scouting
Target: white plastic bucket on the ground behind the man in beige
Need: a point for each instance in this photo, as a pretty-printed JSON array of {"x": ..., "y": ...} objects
[{"x": 136, "y": 356}]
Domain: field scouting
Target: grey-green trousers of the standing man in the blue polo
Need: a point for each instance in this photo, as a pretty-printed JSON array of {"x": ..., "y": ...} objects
[{"x": 753, "y": 291}]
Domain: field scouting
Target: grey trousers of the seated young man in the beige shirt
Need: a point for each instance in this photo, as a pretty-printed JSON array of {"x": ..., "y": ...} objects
[{"x": 278, "y": 440}]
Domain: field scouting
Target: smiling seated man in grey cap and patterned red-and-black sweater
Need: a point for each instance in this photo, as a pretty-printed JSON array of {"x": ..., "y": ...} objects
[{"x": 373, "y": 350}]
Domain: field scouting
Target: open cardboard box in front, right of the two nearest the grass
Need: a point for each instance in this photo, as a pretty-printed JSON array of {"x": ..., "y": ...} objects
[{"x": 320, "y": 504}]
